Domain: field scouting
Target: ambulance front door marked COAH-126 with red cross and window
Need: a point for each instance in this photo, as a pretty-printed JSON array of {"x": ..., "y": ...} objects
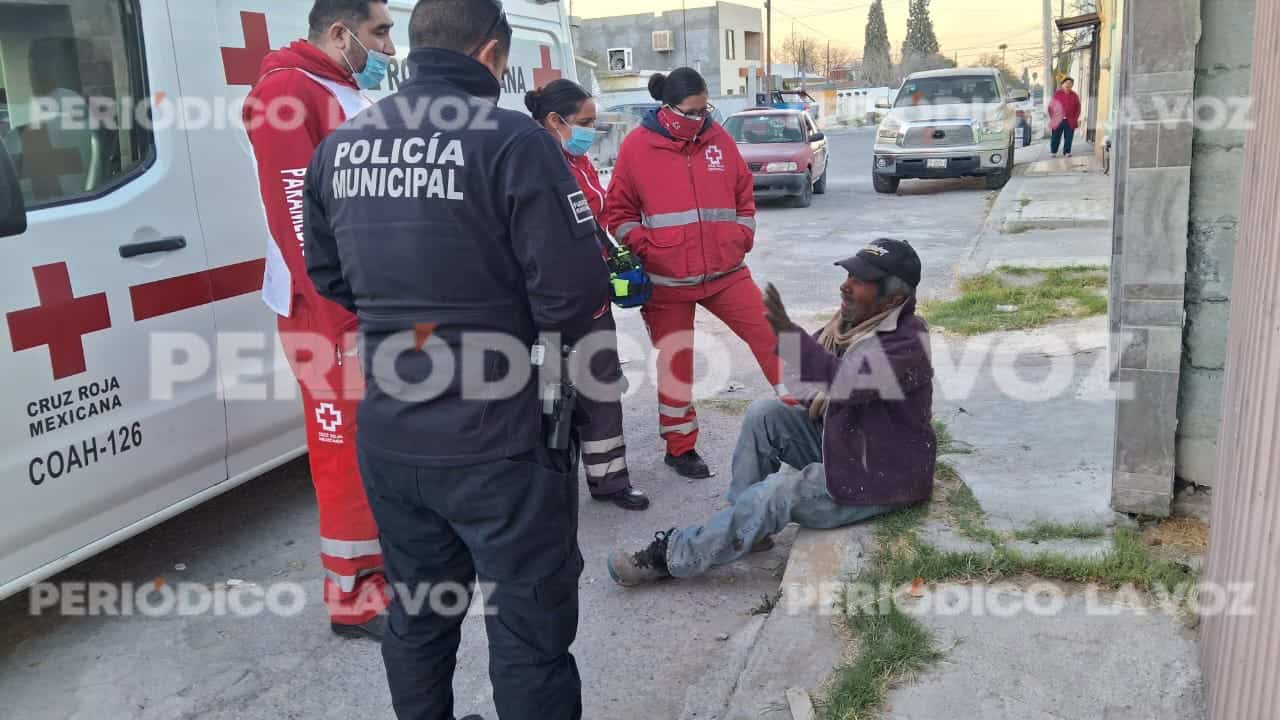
[{"x": 109, "y": 413}]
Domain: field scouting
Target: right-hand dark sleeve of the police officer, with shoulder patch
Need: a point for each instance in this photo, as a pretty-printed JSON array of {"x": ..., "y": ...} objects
[{"x": 554, "y": 240}]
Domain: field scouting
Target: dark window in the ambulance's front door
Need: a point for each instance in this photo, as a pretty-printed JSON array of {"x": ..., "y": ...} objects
[{"x": 71, "y": 81}]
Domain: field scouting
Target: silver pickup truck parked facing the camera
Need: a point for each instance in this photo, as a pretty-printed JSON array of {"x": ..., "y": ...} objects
[{"x": 948, "y": 125}]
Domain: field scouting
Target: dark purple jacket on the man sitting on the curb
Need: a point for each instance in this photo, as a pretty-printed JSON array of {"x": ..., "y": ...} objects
[{"x": 879, "y": 443}]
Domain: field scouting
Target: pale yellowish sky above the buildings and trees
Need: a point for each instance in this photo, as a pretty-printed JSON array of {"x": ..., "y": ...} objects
[{"x": 967, "y": 28}]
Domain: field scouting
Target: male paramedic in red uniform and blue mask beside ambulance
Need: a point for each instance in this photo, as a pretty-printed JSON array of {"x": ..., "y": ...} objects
[{"x": 322, "y": 79}]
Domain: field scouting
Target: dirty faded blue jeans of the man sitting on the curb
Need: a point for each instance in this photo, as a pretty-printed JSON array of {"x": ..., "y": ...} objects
[{"x": 764, "y": 502}]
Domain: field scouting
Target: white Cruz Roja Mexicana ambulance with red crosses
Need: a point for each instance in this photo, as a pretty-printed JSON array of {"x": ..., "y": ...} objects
[{"x": 134, "y": 250}]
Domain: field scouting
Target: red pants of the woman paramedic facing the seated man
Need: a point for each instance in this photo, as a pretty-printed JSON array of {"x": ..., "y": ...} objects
[{"x": 670, "y": 318}]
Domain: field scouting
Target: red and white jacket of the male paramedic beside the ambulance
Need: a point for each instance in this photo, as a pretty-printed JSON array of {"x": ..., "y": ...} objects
[{"x": 284, "y": 144}]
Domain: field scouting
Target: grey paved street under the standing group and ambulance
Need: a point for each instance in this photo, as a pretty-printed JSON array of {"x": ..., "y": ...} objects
[{"x": 639, "y": 651}]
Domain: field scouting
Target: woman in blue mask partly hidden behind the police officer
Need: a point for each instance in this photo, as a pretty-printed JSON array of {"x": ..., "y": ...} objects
[{"x": 569, "y": 113}]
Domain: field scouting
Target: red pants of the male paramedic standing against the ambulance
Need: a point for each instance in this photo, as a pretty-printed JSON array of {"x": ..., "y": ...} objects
[{"x": 330, "y": 376}]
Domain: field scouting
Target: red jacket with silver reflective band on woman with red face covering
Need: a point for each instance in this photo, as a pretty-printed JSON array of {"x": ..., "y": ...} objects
[{"x": 688, "y": 209}]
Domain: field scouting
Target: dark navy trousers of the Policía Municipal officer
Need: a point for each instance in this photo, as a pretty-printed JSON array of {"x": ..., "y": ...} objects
[{"x": 511, "y": 525}]
